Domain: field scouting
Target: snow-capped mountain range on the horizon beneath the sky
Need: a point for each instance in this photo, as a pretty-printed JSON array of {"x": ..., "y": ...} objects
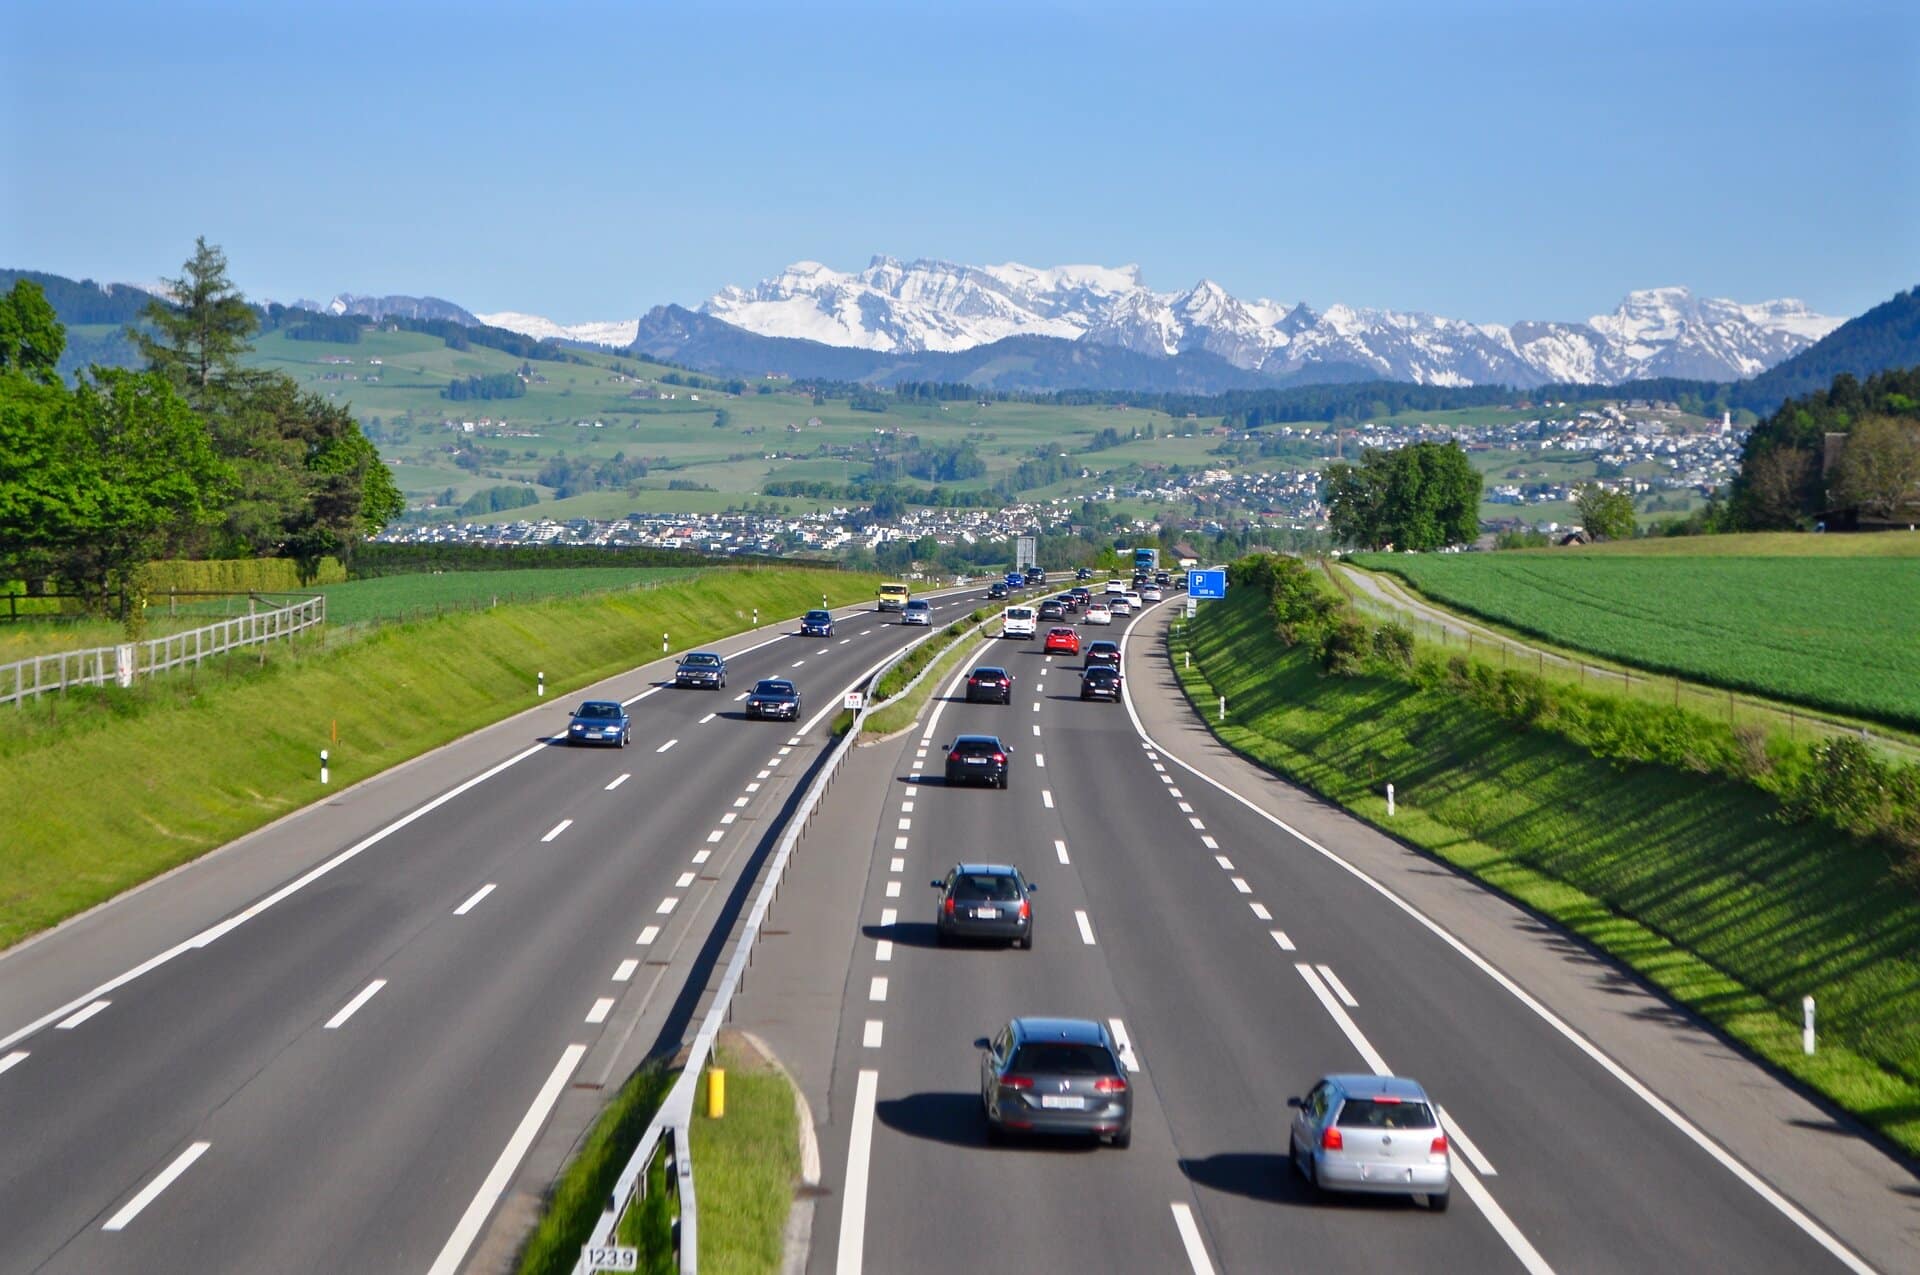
[{"x": 938, "y": 306}]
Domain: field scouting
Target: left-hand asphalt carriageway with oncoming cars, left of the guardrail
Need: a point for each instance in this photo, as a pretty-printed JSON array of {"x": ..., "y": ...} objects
[{"x": 341, "y": 1044}]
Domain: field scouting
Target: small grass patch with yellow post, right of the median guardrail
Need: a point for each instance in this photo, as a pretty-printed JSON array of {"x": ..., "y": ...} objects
[{"x": 746, "y": 1167}]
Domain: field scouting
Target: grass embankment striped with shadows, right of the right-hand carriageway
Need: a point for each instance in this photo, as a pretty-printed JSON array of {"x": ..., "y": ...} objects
[{"x": 1702, "y": 884}]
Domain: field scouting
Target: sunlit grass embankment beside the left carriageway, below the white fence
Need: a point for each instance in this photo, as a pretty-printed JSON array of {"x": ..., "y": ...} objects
[{"x": 187, "y": 763}]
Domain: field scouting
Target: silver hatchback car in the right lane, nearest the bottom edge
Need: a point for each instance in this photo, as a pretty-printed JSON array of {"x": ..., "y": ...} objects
[{"x": 1376, "y": 1134}]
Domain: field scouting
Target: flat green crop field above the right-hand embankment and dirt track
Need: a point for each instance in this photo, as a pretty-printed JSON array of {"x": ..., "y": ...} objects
[{"x": 1836, "y": 631}]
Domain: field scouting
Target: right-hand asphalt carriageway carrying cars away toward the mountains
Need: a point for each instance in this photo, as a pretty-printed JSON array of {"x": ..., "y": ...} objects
[{"x": 1241, "y": 963}]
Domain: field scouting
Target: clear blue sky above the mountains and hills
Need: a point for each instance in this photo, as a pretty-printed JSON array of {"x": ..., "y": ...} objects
[{"x": 1487, "y": 162}]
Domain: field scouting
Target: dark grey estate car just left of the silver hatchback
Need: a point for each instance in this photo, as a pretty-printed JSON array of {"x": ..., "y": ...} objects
[{"x": 1055, "y": 1076}]
